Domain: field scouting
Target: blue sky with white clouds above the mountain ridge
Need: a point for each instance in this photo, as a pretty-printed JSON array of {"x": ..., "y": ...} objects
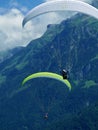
[{"x": 12, "y": 13}]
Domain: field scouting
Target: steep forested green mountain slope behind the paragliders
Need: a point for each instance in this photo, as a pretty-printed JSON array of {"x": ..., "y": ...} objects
[{"x": 73, "y": 45}]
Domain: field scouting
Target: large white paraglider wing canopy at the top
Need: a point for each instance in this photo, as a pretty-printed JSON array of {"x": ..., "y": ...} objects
[{"x": 61, "y": 5}]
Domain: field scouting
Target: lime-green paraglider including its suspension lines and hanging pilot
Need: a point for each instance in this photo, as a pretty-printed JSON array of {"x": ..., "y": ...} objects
[{"x": 52, "y": 76}]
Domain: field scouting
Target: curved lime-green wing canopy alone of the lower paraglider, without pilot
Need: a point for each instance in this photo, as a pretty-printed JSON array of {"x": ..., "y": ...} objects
[{"x": 48, "y": 75}]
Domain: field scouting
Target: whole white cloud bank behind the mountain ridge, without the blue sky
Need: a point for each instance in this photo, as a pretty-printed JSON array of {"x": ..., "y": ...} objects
[{"x": 11, "y": 32}]
